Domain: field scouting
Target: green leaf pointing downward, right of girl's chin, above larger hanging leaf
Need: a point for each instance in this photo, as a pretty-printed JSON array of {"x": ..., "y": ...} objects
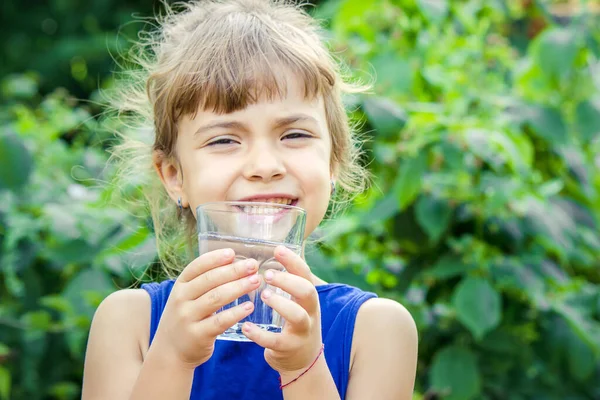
[{"x": 433, "y": 214}]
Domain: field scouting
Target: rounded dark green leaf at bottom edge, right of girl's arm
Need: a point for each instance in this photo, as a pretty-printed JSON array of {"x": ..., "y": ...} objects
[{"x": 455, "y": 374}]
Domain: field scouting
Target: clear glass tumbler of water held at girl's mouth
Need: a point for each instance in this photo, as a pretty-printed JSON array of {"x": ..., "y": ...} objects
[{"x": 252, "y": 230}]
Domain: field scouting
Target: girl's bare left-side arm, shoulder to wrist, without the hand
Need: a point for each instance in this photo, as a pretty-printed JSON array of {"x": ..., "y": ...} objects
[{"x": 114, "y": 365}]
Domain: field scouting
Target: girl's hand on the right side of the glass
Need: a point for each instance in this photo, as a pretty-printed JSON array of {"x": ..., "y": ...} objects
[{"x": 295, "y": 348}]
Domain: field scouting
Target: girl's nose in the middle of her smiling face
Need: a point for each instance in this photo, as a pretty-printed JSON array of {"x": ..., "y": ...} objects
[{"x": 264, "y": 163}]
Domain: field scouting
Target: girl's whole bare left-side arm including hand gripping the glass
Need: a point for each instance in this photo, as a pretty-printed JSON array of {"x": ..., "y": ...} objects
[{"x": 115, "y": 367}]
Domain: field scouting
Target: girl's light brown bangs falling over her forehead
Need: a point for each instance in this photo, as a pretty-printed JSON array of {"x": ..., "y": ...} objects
[{"x": 249, "y": 63}]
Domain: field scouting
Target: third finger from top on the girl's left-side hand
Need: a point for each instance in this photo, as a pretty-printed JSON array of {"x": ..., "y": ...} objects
[{"x": 222, "y": 295}]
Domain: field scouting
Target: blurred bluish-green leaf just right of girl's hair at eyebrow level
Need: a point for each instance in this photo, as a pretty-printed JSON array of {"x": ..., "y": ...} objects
[{"x": 385, "y": 115}]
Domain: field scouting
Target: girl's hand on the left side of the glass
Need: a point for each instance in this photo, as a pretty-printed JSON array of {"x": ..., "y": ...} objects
[{"x": 188, "y": 328}]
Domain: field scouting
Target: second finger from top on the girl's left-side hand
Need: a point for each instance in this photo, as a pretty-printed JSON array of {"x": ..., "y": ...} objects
[{"x": 220, "y": 276}]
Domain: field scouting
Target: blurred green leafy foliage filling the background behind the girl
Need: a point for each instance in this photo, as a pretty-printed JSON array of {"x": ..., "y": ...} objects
[{"x": 483, "y": 218}]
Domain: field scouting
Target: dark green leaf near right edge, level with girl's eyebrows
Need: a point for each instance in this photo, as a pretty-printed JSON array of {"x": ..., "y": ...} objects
[{"x": 547, "y": 123}]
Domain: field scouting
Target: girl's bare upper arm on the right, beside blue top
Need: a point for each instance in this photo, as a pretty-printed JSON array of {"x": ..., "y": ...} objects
[{"x": 385, "y": 362}]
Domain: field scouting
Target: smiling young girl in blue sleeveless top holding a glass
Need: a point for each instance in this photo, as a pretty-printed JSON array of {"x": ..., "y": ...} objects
[{"x": 245, "y": 104}]
